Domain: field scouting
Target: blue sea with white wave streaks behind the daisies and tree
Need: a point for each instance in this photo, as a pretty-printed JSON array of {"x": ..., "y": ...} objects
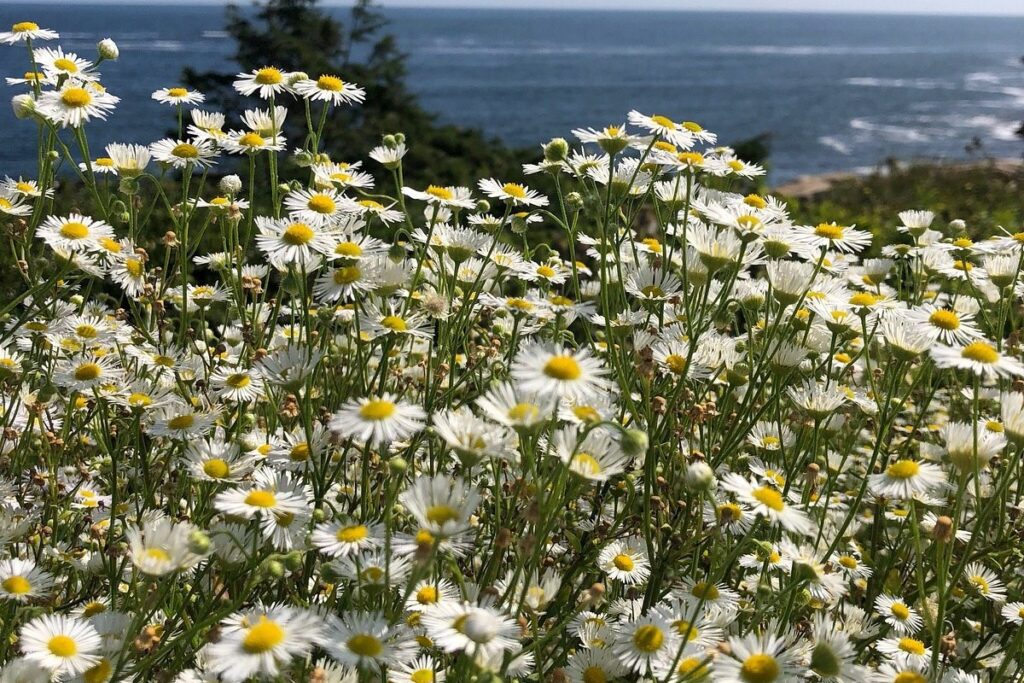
[{"x": 835, "y": 92}]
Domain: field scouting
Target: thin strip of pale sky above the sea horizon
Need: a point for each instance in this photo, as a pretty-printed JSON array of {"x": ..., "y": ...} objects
[{"x": 997, "y": 8}]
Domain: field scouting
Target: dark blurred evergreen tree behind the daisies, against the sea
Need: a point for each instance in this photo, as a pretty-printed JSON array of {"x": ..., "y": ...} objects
[{"x": 305, "y": 38}]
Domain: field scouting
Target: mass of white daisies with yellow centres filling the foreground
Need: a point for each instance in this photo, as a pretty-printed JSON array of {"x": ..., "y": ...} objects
[{"x": 635, "y": 428}]
